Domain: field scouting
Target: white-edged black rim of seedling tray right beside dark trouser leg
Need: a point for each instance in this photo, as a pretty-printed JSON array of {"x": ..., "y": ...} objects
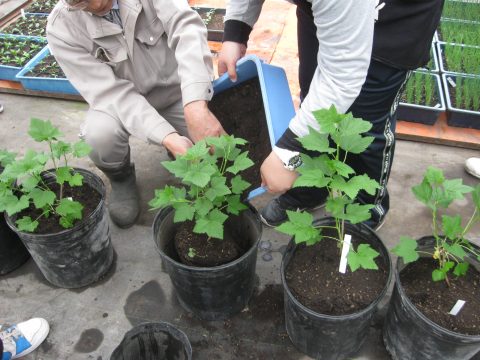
[{"x": 423, "y": 114}]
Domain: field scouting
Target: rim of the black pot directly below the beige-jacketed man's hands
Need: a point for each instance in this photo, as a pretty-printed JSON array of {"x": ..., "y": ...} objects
[{"x": 180, "y": 265}]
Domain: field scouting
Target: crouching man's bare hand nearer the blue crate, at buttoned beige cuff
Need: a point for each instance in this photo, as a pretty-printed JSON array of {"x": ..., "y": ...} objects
[{"x": 201, "y": 122}]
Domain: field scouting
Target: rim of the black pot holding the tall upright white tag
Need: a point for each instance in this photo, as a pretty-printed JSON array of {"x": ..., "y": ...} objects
[{"x": 337, "y": 317}]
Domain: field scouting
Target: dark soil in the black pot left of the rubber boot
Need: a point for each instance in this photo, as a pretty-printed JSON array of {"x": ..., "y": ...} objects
[{"x": 85, "y": 194}]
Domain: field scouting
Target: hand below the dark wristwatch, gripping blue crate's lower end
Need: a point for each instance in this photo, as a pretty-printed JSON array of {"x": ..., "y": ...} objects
[{"x": 275, "y": 177}]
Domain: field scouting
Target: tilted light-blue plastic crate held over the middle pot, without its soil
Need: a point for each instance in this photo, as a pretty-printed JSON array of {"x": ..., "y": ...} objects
[{"x": 277, "y": 98}]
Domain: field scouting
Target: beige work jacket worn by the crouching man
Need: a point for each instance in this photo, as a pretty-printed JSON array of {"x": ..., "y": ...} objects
[{"x": 159, "y": 57}]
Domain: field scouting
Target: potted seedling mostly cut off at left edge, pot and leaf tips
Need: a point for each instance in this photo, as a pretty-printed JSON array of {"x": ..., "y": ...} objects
[{"x": 12, "y": 251}]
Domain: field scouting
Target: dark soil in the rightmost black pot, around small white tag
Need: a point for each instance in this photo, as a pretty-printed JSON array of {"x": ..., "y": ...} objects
[{"x": 436, "y": 299}]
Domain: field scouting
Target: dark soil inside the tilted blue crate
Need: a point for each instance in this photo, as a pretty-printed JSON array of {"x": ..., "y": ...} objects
[{"x": 240, "y": 111}]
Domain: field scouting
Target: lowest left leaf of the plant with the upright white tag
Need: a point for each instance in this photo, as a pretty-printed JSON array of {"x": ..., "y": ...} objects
[{"x": 299, "y": 224}]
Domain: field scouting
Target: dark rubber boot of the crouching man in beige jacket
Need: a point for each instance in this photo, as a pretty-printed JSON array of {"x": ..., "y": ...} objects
[{"x": 123, "y": 201}]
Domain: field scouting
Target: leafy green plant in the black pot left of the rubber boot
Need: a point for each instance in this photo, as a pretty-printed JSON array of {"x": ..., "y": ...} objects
[{"x": 22, "y": 184}]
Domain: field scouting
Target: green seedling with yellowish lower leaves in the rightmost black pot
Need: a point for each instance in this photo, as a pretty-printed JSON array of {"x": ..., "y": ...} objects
[{"x": 451, "y": 246}]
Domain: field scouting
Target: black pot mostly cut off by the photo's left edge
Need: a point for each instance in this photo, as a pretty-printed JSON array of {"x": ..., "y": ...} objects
[{"x": 12, "y": 251}]
